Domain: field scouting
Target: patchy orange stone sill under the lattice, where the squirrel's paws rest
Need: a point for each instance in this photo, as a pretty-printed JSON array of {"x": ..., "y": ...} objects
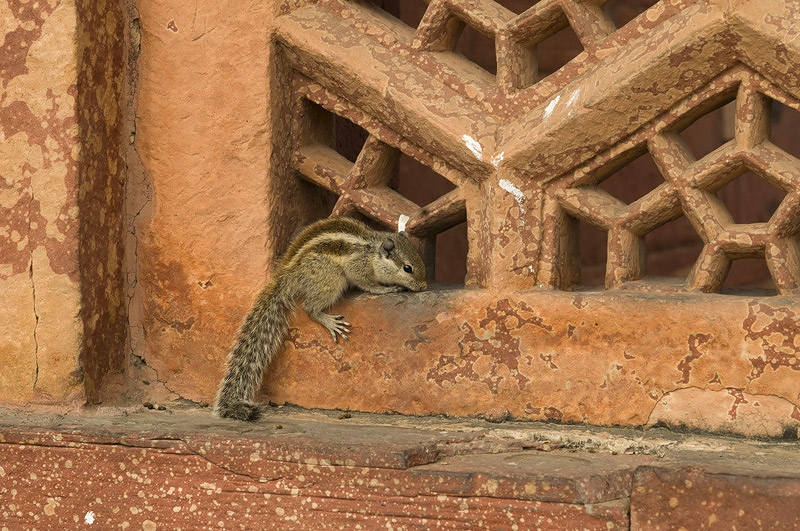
[{"x": 573, "y": 357}]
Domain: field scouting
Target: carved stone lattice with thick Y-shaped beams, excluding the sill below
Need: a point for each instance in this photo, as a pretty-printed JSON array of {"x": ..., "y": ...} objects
[{"x": 524, "y": 155}]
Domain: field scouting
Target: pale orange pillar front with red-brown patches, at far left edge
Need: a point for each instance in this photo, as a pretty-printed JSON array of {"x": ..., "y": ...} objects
[{"x": 39, "y": 201}]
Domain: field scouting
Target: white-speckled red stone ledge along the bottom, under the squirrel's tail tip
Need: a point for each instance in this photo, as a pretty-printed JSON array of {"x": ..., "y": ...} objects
[{"x": 179, "y": 468}]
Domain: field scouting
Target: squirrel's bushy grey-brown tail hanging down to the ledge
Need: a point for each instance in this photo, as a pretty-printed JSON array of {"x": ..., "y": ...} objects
[{"x": 260, "y": 337}]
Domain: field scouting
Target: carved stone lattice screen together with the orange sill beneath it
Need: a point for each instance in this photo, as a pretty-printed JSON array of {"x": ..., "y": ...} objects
[{"x": 526, "y": 153}]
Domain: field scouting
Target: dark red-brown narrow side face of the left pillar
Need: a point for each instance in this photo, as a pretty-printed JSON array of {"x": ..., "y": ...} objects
[{"x": 101, "y": 100}]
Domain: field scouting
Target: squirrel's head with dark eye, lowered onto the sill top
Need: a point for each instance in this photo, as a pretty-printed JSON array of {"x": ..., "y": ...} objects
[{"x": 399, "y": 263}]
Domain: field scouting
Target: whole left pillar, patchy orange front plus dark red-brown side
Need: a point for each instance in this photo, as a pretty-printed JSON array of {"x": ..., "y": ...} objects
[{"x": 62, "y": 314}]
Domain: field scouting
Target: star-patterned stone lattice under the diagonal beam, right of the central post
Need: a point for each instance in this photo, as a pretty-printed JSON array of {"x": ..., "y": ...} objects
[{"x": 690, "y": 189}]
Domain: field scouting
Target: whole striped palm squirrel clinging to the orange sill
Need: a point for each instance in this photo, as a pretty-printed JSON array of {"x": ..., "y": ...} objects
[{"x": 323, "y": 261}]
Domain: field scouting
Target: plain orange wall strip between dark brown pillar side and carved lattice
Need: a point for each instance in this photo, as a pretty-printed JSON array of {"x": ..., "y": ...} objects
[{"x": 202, "y": 138}]
